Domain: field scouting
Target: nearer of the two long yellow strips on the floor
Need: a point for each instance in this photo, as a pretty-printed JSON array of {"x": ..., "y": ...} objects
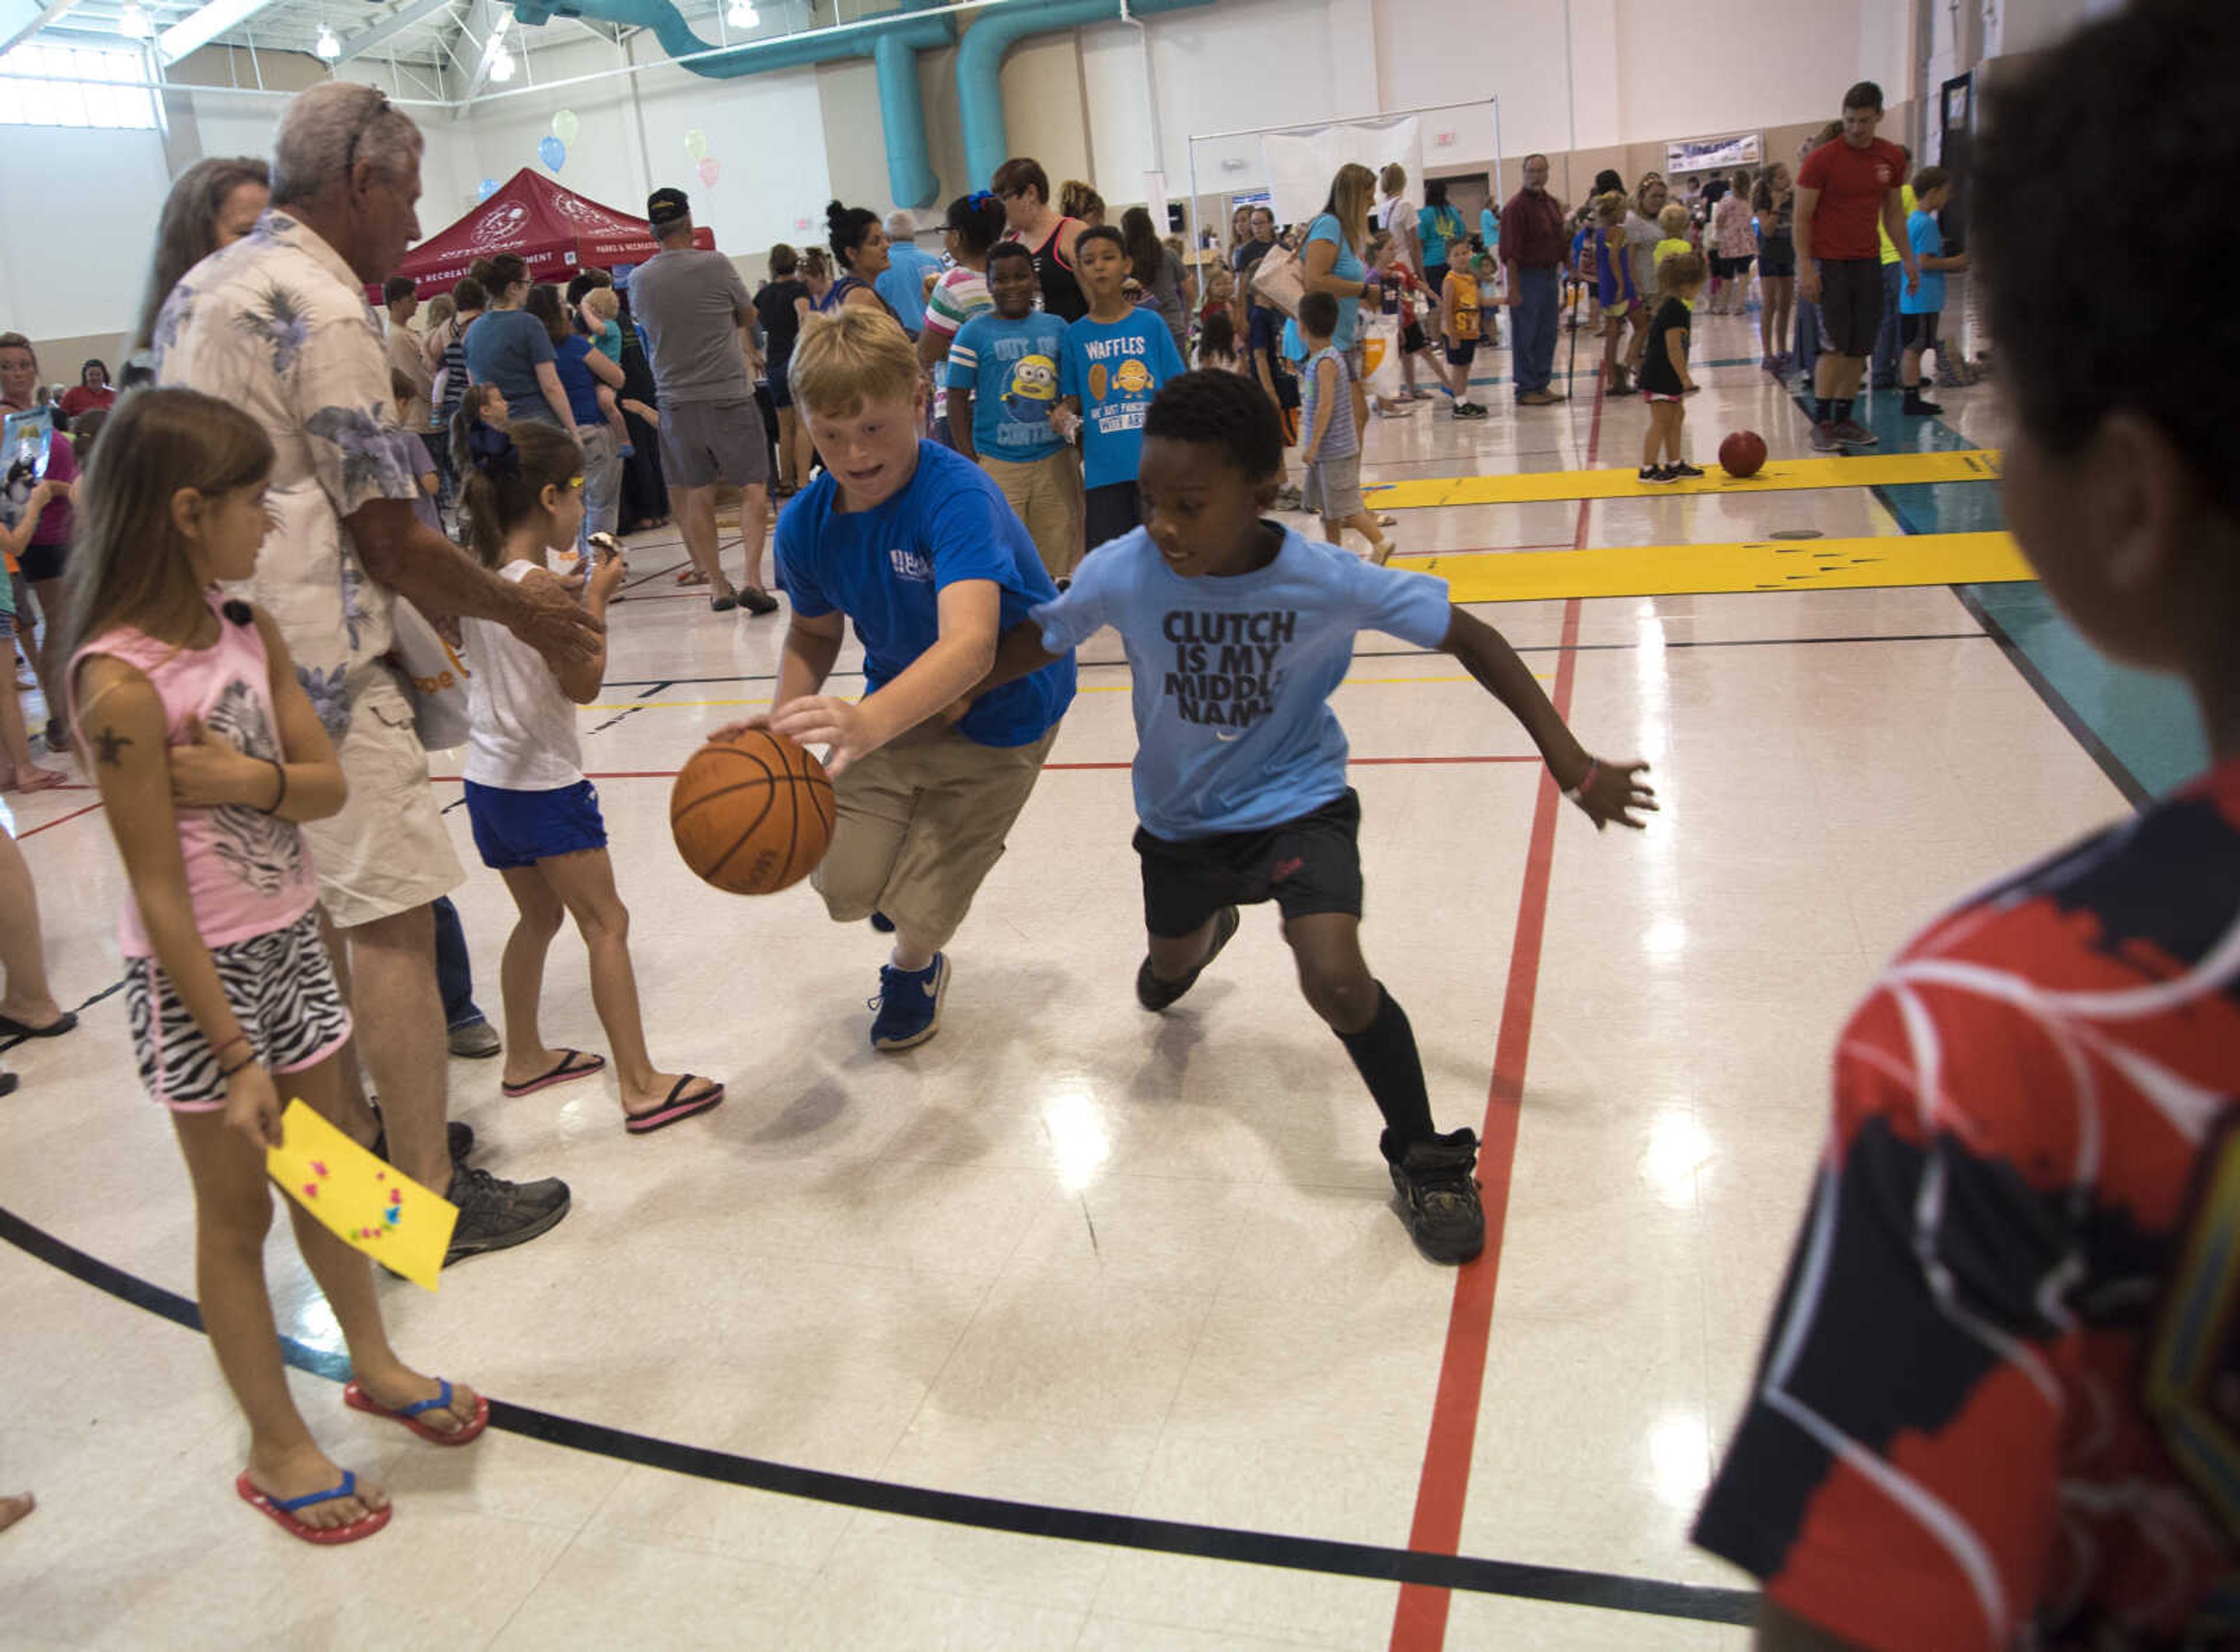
[{"x": 1764, "y": 565}]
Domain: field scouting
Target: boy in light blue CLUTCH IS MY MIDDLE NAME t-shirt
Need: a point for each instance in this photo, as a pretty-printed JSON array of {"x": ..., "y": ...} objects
[{"x": 1238, "y": 632}]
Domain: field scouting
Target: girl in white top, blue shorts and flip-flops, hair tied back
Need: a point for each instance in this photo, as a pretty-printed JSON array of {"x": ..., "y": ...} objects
[{"x": 534, "y": 814}]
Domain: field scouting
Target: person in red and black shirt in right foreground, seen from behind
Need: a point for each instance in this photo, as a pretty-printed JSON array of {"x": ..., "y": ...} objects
[{"x": 1997, "y": 1405}]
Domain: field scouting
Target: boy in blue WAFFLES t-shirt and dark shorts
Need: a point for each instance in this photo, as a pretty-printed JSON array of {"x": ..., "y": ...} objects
[{"x": 1117, "y": 359}]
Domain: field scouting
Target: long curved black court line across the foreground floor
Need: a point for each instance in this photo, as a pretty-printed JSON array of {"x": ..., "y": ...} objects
[{"x": 1562, "y": 1586}]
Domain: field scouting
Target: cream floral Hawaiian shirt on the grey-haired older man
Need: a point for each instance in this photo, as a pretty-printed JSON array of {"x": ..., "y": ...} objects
[{"x": 281, "y": 328}]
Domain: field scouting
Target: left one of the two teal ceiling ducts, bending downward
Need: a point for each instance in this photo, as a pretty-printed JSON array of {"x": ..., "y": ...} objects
[{"x": 893, "y": 44}]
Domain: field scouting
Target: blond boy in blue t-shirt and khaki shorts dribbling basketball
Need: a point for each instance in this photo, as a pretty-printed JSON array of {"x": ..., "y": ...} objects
[{"x": 924, "y": 554}]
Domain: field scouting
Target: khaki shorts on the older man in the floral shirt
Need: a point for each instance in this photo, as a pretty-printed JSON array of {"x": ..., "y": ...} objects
[{"x": 389, "y": 850}]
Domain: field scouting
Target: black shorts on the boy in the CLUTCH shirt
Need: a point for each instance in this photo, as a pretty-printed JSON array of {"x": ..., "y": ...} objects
[{"x": 1303, "y": 865}]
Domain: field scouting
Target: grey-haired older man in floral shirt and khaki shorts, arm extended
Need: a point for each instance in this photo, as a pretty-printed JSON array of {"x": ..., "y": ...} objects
[{"x": 279, "y": 326}]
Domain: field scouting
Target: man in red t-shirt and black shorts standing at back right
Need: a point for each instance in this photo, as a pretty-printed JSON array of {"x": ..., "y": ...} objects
[{"x": 1842, "y": 189}]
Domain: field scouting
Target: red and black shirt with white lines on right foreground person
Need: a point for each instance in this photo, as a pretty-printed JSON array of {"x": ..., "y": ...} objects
[{"x": 1999, "y": 1398}]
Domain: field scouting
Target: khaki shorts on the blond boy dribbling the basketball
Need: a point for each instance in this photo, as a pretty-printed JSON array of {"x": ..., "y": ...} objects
[{"x": 922, "y": 825}]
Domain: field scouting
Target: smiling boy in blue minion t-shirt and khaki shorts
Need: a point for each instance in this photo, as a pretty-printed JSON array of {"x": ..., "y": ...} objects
[{"x": 1002, "y": 382}]
